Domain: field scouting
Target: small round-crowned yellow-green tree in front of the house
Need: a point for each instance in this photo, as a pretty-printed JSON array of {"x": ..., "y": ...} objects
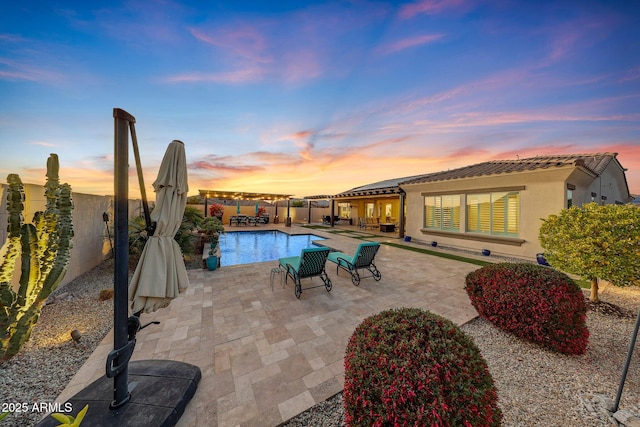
[{"x": 595, "y": 242}]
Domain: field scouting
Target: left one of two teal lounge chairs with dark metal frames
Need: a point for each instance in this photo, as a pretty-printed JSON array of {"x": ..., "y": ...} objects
[{"x": 310, "y": 263}]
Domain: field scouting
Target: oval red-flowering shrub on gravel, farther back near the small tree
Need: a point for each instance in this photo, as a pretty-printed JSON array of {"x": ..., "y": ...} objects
[{"x": 536, "y": 303}]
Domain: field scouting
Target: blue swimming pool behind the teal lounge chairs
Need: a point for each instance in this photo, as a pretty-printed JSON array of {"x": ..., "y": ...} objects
[{"x": 245, "y": 247}]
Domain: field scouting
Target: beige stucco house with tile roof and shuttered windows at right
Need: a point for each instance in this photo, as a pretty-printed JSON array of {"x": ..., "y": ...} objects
[{"x": 499, "y": 205}]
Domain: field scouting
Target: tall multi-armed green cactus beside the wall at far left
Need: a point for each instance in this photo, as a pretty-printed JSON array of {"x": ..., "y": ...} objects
[{"x": 44, "y": 249}]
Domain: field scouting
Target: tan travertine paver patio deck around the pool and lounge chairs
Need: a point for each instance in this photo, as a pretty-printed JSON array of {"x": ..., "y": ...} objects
[{"x": 266, "y": 356}]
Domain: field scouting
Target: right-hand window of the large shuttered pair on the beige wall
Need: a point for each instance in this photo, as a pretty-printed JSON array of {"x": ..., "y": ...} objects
[{"x": 494, "y": 213}]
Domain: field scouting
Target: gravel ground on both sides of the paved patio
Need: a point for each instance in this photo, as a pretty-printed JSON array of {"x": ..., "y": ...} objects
[{"x": 536, "y": 387}]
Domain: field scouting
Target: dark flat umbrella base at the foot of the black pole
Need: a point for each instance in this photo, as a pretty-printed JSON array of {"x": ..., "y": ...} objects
[{"x": 160, "y": 392}]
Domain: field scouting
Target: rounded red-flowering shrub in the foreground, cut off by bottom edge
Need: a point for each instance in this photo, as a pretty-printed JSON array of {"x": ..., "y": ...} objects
[{"x": 409, "y": 367}]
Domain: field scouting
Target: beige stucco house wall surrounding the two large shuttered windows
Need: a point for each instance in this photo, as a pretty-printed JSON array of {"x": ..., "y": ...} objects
[{"x": 543, "y": 191}]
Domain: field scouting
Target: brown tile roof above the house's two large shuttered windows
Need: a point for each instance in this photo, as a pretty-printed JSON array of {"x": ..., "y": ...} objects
[{"x": 594, "y": 162}]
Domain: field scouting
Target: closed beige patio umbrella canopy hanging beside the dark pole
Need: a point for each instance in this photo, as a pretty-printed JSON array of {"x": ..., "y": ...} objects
[{"x": 161, "y": 274}]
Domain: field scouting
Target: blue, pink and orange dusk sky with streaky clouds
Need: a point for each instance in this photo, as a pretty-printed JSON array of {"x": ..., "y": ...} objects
[{"x": 310, "y": 98}]
